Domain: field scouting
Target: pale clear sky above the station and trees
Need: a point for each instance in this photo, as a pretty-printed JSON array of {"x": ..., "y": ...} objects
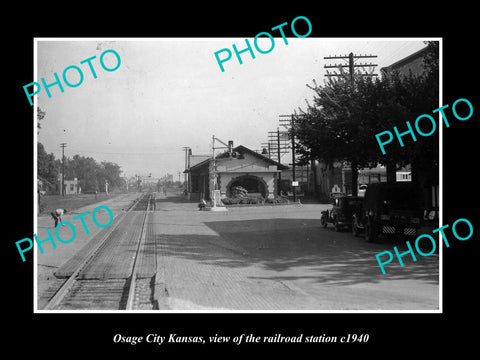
[{"x": 169, "y": 93}]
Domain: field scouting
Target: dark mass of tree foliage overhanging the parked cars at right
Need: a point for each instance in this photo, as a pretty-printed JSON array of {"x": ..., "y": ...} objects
[{"x": 345, "y": 116}]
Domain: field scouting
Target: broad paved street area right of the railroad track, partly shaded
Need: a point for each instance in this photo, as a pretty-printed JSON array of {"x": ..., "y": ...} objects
[{"x": 278, "y": 258}]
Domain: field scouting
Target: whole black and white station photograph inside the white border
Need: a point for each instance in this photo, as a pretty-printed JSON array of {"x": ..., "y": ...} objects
[{"x": 261, "y": 187}]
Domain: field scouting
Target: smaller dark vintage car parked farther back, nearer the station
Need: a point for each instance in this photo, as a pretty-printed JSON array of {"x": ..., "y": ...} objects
[{"x": 344, "y": 207}]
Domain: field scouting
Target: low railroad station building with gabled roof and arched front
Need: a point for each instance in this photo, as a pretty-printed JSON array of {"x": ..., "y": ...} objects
[{"x": 238, "y": 167}]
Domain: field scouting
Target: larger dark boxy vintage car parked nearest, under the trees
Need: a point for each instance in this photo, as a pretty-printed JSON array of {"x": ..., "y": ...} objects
[{"x": 389, "y": 209}]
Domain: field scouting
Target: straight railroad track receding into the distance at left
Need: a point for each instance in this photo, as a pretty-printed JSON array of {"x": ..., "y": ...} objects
[{"x": 117, "y": 272}]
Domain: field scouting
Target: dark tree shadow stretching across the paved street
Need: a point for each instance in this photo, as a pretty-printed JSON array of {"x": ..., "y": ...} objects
[{"x": 297, "y": 249}]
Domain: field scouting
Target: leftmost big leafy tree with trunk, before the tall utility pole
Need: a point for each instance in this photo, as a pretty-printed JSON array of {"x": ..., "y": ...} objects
[{"x": 339, "y": 126}]
